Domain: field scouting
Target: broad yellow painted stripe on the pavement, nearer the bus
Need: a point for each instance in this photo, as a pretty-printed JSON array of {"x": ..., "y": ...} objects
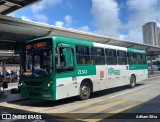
[{"x": 92, "y": 110}]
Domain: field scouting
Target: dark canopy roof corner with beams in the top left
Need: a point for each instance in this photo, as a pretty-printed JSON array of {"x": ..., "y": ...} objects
[{"x": 9, "y": 6}]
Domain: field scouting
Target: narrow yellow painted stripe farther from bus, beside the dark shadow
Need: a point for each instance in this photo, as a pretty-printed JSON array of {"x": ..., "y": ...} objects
[{"x": 111, "y": 113}]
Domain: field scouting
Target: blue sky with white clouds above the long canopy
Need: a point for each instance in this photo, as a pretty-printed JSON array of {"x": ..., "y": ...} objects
[{"x": 117, "y": 18}]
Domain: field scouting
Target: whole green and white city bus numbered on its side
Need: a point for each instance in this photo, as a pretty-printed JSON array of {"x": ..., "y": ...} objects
[{"x": 54, "y": 68}]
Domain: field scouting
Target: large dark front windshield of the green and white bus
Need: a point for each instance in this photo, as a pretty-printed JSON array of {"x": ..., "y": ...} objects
[{"x": 36, "y": 63}]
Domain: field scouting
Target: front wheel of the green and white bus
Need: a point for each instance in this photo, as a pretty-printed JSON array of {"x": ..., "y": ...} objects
[{"x": 85, "y": 91}]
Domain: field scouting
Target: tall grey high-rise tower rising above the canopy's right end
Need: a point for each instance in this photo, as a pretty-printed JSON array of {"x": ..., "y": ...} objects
[{"x": 151, "y": 34}]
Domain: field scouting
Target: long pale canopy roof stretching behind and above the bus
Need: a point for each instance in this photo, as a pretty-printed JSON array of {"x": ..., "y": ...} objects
[{"x": 15, "y": 31}]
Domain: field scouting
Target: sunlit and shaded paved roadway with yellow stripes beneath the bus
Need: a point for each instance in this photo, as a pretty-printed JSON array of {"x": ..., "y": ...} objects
[{"x": 121, "y": 103}]
